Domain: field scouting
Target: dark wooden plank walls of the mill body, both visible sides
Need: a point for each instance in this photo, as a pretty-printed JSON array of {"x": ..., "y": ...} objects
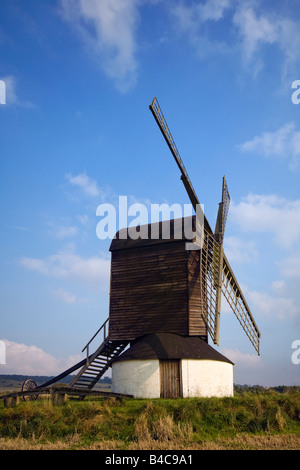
[{"x": 155, "y": 287}]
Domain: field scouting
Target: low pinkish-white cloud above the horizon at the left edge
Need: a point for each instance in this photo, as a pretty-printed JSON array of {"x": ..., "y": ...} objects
[{"x": 31, "y": 360}]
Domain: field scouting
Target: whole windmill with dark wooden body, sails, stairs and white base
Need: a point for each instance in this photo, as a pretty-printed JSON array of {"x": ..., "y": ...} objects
[{"x": 164, "y": 302}]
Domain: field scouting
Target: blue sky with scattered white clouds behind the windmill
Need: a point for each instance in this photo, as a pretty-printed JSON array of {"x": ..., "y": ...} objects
[{"x": 76, "y": 133}]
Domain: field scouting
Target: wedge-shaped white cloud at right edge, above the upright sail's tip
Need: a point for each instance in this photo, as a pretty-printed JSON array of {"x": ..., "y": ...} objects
[{"x": 284, "y": 143}]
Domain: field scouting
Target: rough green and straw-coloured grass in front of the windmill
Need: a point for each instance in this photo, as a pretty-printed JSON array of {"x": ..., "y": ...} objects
[{"x": 249, "y": 420}]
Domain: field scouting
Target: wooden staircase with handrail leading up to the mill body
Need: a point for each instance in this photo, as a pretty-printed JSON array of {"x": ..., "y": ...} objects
[{"x": 98, "y": 363}]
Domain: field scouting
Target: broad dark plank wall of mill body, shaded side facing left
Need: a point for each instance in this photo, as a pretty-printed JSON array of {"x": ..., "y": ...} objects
[{"x": 149, "y": 292}]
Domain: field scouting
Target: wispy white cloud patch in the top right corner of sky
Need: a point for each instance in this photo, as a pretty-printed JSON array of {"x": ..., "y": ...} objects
[{"x": 253, "y": 30}]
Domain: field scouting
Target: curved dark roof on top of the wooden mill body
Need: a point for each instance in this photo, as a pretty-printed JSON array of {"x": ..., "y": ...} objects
[{"x": 174, "y": 230}]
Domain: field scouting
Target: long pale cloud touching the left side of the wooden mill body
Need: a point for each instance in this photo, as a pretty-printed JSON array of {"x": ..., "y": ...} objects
[{"x": 93, "y": 271}]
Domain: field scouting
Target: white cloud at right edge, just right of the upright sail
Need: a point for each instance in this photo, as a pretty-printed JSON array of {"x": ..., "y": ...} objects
[{"x": 269, "y": 214}]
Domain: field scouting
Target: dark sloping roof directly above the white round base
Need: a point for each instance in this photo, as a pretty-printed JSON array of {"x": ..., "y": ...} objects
[{"x": 171, "y": 346}]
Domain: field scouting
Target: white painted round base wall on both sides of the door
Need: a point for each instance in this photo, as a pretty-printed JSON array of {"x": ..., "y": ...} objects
[{"x": 200, "y": 378}]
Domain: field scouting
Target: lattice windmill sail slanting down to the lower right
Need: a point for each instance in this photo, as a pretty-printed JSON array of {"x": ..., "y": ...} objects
[{"x": 234, "y": 296}]
